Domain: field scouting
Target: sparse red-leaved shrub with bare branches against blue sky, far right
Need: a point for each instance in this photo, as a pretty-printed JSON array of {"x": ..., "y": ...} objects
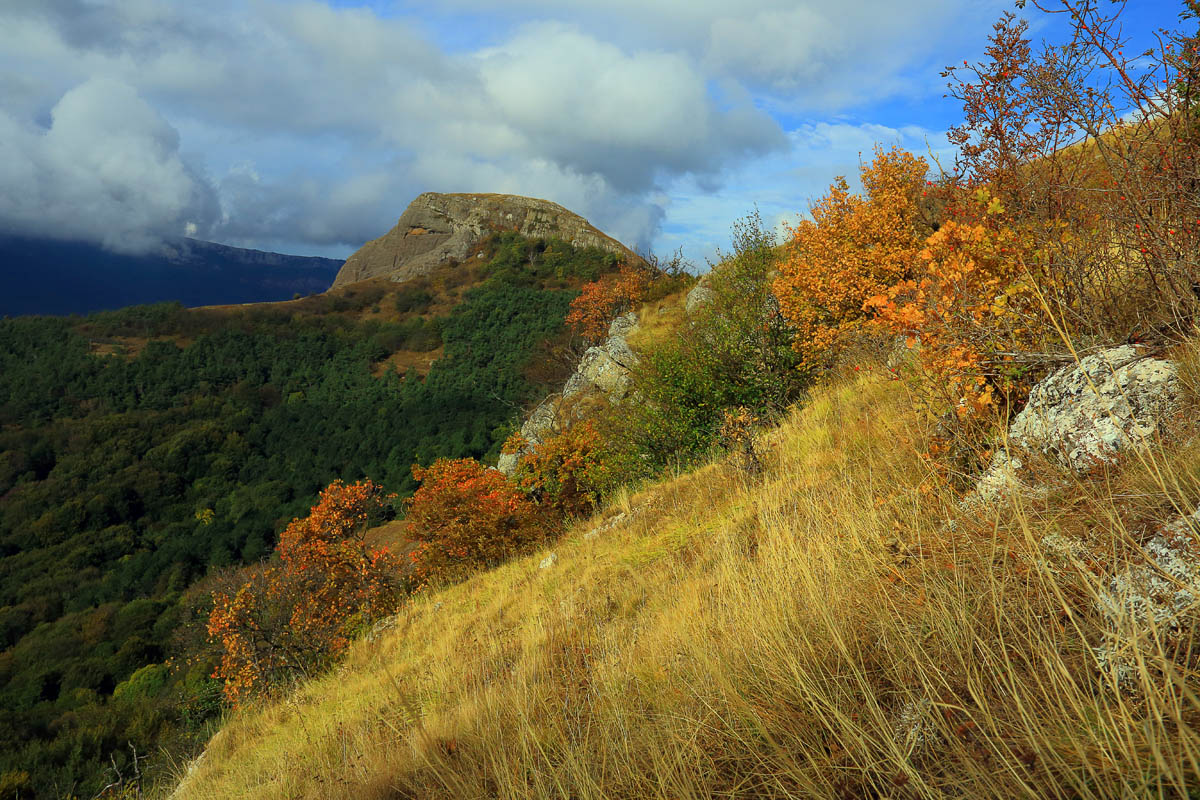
[{"x": 1103, "y": 143}]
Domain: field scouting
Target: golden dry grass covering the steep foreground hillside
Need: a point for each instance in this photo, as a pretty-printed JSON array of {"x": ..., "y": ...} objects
[{"x": 823, "y": 633}]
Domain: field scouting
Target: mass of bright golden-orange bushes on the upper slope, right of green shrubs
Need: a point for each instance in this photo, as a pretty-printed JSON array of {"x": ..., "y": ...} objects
[{"x": 967, "y": 290}]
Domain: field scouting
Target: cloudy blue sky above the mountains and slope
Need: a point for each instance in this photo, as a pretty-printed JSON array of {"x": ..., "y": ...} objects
[{"x": 308, "y": 127}]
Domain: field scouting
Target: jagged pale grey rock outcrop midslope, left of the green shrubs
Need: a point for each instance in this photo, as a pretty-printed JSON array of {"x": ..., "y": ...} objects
[{"x": 605, "y": 369}]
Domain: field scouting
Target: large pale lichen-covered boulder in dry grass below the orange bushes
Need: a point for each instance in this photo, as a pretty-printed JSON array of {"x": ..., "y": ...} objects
[{"x": 1087, "y": 414}]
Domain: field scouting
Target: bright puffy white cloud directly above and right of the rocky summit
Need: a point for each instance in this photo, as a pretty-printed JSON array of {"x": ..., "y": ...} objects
[{"x": 628, "y": 118}]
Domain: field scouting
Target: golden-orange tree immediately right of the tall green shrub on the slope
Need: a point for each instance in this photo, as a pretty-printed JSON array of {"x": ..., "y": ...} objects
[{"x": 854, "y": 249}]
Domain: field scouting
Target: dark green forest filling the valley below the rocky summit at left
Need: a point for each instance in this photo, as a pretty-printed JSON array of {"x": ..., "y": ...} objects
[{"x": 131, "y": 472}]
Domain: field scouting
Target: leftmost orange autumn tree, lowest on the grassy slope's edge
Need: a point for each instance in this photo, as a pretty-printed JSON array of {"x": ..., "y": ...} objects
[{"x": 293, "y": 617}]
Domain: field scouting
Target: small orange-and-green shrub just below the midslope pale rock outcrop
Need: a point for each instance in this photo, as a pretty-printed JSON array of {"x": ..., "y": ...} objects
[{"x": 567, "y": 472}]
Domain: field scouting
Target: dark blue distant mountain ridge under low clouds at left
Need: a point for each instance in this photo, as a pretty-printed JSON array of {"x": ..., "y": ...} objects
[{"x": 45, "y": 276}]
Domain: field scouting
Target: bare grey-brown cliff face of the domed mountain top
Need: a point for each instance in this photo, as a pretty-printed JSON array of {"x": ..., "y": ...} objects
[{"x": 439, "y": 228}]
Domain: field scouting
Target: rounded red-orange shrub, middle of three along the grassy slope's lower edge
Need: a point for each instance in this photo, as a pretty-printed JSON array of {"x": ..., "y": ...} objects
[{"x": 467, "y": 515}]
